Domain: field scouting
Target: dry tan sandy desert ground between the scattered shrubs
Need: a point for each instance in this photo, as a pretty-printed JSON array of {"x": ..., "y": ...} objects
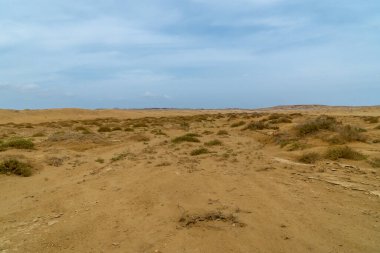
[{"x": 134, "y": 190}]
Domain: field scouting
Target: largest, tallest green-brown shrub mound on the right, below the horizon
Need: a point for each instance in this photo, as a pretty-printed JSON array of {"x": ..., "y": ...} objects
[{"x": 320, "y": 123}]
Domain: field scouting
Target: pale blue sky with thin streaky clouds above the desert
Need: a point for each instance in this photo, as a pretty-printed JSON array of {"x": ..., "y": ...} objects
[{"x": 188, "y": 53}]
